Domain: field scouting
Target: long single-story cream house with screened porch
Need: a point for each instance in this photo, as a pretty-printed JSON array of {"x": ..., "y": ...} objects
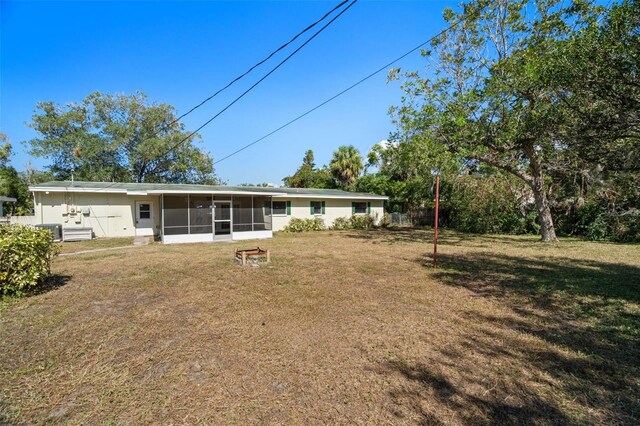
[{"x": 179, "y": 213}]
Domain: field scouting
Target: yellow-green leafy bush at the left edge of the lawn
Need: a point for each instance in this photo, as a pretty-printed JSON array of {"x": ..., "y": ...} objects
[{"x": 25, "y": 257}]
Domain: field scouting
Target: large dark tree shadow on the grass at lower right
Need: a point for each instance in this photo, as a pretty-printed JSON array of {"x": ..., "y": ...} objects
[{"x": 590, "y": 308}]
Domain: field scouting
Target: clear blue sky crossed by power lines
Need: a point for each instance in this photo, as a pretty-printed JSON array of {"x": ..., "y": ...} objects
[{"x": 181, "y": 52}]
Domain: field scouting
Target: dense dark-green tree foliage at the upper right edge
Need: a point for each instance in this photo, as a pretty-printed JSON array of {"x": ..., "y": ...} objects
[{"x": 596, "y": 76}]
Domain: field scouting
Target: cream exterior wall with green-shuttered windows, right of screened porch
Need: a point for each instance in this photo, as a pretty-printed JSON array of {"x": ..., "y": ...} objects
[{"x": 334, "y": 208}]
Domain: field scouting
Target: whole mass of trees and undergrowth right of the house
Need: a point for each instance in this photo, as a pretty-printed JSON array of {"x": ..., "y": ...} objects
[{"x": 530, "y": 111}]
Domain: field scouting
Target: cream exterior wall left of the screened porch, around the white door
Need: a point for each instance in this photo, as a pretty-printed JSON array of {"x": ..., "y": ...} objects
[{"x": 110, "y": 215}]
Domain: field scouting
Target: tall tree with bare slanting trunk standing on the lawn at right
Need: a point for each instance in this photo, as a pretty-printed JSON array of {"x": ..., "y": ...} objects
[{"x": 485, "y": 102}]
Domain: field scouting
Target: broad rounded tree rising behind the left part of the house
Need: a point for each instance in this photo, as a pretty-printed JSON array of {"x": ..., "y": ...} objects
[{"x": 118, "y": 138}]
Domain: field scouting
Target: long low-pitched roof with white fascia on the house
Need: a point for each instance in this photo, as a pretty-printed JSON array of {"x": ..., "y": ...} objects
[{"x": 173, "y": 188}]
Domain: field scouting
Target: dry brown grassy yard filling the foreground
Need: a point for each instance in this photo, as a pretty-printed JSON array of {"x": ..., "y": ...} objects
[{"x": 341, "y": 328}]
